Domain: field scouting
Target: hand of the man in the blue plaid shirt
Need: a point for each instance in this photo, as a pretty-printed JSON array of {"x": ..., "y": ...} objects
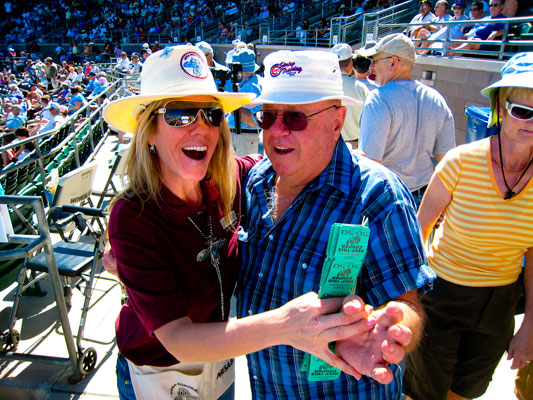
[{"x": 370, "y": 352}]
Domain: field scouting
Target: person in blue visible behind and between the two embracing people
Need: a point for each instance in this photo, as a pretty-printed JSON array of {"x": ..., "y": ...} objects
[{"x": 247, "y": 141}]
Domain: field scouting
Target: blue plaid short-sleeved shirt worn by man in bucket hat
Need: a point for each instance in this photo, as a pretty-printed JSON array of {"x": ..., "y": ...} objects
[{"x": 284, "y": 260}]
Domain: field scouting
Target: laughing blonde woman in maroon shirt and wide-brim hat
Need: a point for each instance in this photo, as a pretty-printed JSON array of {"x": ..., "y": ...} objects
[{"x": 174, "y": 235}]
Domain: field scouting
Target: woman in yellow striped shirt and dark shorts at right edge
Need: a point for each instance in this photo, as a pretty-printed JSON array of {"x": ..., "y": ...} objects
[{"x": 485, "y": 190}]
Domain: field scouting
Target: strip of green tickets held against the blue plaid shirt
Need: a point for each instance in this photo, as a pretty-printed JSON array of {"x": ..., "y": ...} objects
[{"x": 346, "y": 250}]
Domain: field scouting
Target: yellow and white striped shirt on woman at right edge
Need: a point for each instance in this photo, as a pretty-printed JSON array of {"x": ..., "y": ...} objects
[{"x": 484, "y": 237}]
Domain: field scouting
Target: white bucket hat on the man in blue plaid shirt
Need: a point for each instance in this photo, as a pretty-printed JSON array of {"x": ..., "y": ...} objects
[{"x": 302, "y": 77}]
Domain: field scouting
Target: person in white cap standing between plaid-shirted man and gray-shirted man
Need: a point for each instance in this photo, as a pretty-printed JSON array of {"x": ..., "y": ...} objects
[{"x": 353, "y": 88}]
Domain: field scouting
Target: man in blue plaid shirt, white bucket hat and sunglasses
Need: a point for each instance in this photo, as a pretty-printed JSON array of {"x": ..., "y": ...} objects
[{"x": 309, "y": 181}]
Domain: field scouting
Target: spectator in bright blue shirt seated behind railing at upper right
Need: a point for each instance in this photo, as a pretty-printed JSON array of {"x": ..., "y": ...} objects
[{"x": 483, "y": 31}]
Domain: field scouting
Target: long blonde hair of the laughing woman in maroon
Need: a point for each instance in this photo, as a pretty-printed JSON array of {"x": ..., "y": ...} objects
[{"x": 144, "y": 172}]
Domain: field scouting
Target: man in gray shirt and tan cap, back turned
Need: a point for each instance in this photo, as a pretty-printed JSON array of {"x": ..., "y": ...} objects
[{"x": 404, "y": 124}]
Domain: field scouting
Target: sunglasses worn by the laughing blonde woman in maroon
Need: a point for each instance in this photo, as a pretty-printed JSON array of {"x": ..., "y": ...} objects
[{"x": 178, "y": 117}]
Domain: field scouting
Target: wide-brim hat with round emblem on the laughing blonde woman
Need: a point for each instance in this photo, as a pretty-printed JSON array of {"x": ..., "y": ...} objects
[{"x": 176, "y": 72}]
